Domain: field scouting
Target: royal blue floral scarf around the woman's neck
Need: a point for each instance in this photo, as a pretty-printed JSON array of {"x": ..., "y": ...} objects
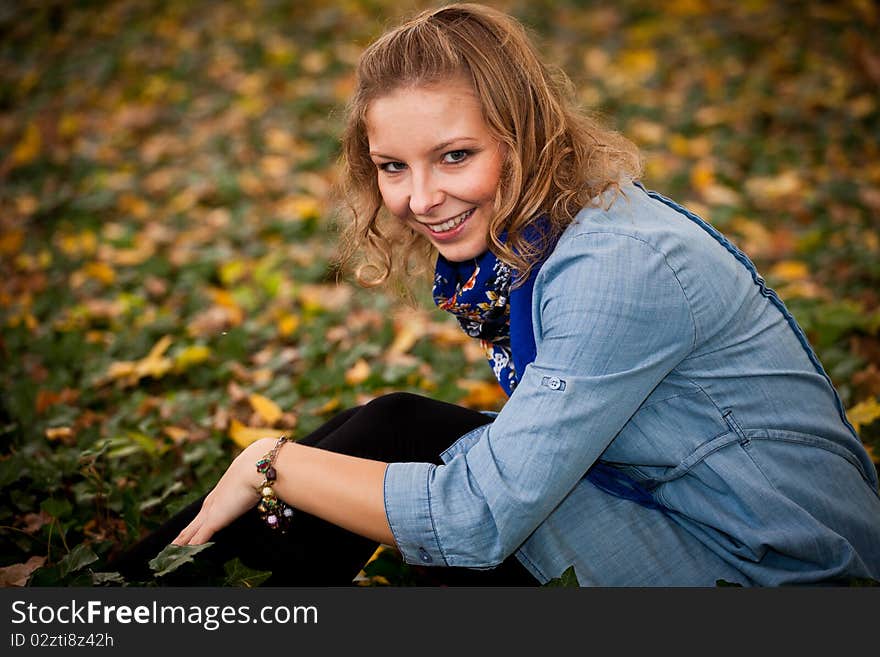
[{"x": 480, "y": 294}]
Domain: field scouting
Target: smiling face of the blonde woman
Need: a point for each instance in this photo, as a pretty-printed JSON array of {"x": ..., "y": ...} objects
[{"x": 438, "y": 165}]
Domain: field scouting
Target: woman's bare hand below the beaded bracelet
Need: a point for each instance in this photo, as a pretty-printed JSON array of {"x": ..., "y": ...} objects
[{"x": 235, "y": 494}]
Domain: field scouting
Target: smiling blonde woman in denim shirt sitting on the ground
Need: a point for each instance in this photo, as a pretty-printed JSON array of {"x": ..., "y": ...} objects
[{"x": 668, "y": 422}]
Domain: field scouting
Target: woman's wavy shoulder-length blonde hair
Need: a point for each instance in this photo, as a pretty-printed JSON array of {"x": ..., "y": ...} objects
[{"x": 558, "y": 159}]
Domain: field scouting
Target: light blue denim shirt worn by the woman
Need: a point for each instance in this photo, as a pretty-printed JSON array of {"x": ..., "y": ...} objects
[{"x": 662, "y": 352}]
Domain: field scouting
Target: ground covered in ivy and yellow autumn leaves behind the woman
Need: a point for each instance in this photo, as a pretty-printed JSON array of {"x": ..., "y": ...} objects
[{"x": 167, "y": 292}]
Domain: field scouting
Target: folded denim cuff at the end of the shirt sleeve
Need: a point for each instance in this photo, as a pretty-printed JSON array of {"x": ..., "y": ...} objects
[{"x": 408, "y": 509}]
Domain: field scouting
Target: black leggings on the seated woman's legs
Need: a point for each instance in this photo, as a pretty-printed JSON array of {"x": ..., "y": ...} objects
[{"x": 398, "y": 427}]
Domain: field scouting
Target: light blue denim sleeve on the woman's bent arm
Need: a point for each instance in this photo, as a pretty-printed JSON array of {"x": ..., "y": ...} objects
[{"x": 611, "y": 320}]
